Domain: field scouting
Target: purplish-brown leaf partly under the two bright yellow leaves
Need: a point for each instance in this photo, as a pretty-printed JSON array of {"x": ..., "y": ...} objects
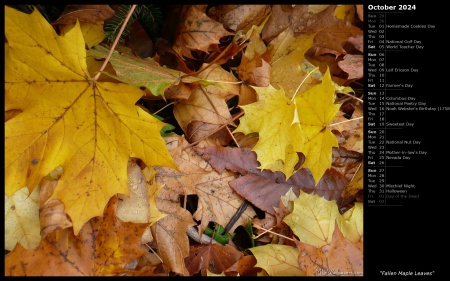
[{"x": 265, "y": 188}]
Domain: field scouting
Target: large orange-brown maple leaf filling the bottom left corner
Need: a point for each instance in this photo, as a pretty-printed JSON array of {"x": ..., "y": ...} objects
[{"x": 102, "y": 246}]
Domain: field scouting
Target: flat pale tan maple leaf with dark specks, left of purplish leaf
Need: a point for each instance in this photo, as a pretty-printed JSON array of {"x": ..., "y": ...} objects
[{"x": 217, "y": 202}]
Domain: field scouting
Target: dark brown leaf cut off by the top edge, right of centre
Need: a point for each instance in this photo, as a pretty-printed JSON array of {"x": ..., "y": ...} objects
[{"x": 239, "y": 17}]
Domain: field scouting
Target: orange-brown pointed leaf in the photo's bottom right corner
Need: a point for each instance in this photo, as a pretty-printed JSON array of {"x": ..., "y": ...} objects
[{"x": 341, "y": 257}]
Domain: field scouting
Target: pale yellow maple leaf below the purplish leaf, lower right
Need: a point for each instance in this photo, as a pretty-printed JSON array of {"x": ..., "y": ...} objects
[{"x": 313, "y": 219}]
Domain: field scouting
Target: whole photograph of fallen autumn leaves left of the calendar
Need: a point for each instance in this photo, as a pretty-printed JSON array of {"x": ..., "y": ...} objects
[{"x": 183, "y": 140}]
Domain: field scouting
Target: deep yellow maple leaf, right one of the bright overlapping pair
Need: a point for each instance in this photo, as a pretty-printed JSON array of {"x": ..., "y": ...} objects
[{"x": 316, "y": 109}]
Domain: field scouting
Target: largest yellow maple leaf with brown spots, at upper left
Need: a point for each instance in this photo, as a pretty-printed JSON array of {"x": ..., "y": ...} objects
[{"x": 65, "y": 118}]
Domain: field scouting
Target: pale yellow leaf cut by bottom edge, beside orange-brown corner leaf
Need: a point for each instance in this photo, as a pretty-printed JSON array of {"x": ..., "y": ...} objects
[{"x": 278, "y": 260}]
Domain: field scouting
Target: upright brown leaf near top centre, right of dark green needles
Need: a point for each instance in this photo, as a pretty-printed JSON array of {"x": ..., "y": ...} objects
[{"x": 197, "y": 32}]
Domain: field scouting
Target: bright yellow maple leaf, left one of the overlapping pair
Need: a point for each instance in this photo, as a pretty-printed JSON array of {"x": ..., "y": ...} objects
[{"x": 280, "y": 137}]
